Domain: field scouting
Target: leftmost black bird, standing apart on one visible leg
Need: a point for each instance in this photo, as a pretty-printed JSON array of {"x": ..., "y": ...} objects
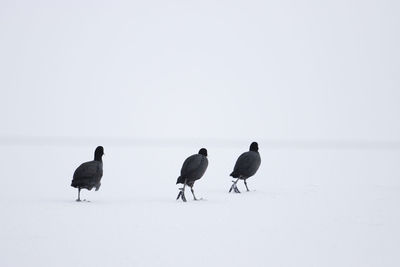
[{"x": 88, "y": 174}]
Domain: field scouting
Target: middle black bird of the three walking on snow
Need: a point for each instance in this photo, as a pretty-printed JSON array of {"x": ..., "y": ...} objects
[{"x": 193, "y": 169}]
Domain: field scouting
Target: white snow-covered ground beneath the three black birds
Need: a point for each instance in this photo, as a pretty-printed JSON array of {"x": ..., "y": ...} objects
[{"x": 308, "y": 207}]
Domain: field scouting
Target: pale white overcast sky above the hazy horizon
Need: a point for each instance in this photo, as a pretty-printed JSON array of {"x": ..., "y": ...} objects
[{"x": 222, "y": 69}]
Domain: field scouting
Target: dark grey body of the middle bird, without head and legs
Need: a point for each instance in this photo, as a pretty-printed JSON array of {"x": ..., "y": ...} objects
[{"x": 193, "y": 168}]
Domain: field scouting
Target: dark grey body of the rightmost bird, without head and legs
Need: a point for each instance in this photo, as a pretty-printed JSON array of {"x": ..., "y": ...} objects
[{"x": 247, "y": 164}]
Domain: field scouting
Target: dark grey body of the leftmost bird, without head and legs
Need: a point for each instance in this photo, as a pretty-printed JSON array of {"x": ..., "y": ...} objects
[{"x": 88, "y": 175}]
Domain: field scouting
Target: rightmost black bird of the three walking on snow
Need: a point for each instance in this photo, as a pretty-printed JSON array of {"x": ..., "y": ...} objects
[{"x": 246, "y": 166}]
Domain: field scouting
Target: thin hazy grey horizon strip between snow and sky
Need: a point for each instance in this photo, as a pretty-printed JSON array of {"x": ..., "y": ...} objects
[{"x": 16, "y": 140}]
